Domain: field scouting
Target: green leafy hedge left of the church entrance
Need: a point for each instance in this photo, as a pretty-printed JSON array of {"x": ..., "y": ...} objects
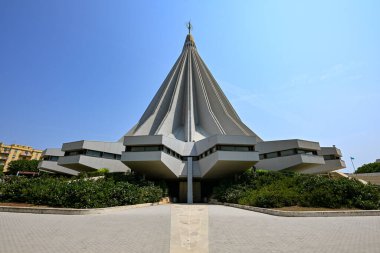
[{"x": 79, "y": 193}]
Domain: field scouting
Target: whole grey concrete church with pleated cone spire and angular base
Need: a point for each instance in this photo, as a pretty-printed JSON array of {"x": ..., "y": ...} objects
[{"x": 190, "y": 136}]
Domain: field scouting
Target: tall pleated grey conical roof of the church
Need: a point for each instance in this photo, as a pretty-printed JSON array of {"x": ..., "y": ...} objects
[{"x": 190, "y": 105}]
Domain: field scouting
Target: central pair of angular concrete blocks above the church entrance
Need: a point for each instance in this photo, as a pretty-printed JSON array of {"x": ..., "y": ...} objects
[{"x": 169, "y": 156}]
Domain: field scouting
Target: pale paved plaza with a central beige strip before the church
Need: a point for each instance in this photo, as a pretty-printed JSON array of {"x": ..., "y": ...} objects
[{"x": 186, "y": 228}]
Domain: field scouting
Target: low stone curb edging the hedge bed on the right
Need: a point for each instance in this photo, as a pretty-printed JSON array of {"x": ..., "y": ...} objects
[{"x": 304, "y": 213}]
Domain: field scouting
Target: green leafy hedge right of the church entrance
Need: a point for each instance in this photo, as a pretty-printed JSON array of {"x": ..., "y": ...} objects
[{"x": 275, "y": 189}]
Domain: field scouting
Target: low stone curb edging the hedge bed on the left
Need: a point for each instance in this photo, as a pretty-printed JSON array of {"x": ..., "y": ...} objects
[{"x": 73, "y": 211}]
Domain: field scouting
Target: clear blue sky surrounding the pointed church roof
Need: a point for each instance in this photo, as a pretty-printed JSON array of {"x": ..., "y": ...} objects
[{"x": 73, "y": 70}]
